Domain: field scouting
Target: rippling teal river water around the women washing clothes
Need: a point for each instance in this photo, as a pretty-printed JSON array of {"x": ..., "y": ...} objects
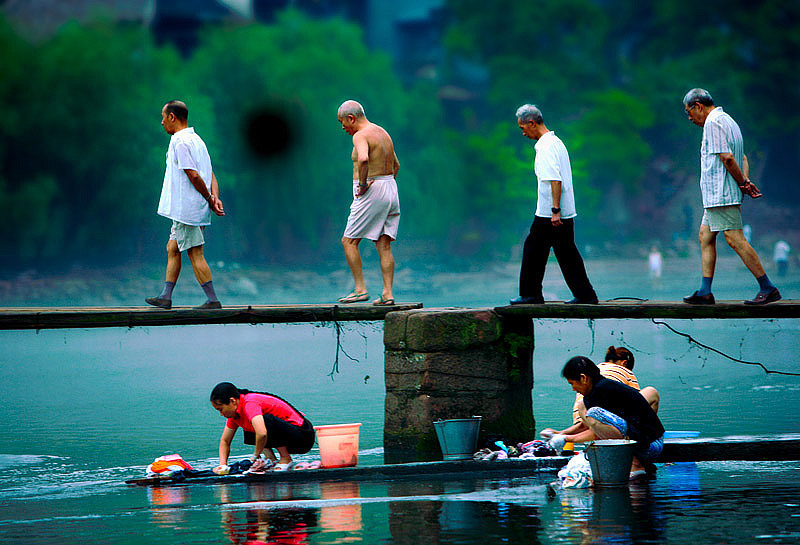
[{"x": 86, "y": 409}]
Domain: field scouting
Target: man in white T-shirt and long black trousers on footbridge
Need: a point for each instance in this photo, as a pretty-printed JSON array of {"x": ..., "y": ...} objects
[{"x": 553, "y": 223}]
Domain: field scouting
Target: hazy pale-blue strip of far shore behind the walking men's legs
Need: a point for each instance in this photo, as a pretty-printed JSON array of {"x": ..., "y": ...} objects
[{"x": 433, "y": 284}]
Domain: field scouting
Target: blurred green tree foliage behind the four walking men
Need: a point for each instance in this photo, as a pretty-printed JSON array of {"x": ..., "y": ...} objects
[{"x": 82, "y": 151}]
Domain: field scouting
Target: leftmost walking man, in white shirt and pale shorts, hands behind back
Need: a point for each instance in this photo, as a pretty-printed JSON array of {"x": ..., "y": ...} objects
[{"x": 189, "y": 194}]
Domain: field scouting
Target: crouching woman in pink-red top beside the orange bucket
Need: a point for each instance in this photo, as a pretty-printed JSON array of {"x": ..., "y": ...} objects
[{"x": 267, "y": 422}]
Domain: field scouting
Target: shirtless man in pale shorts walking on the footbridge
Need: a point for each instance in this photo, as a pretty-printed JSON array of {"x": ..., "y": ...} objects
[{"x": 375, "y": 212}]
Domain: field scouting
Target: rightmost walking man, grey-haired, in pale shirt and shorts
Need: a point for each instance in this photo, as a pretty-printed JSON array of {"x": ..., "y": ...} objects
[{"x": 723, "y": 180}]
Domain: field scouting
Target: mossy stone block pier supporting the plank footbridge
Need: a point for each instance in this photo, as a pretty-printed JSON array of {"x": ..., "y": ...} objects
[{"x": 455, "y": 363}]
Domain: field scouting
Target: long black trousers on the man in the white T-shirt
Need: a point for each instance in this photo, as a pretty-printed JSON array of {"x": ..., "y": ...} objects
[{"x": 536, "y": 250}]
